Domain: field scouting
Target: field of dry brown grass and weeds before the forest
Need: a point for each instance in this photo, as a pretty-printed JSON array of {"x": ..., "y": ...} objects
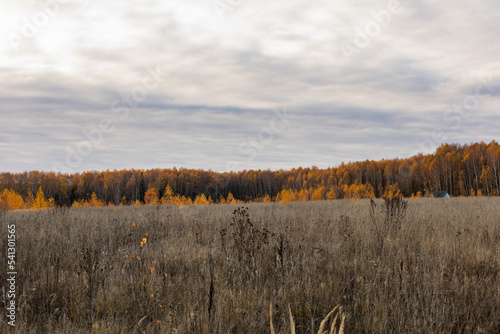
[{"x": 431, "y": 266}]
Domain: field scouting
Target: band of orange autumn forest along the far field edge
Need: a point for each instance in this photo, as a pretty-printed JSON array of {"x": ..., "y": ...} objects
[{"x": 462, "y": 170}]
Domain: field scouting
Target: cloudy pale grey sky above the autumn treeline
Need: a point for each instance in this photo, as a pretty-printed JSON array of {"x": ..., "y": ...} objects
[{"x": 239, "y": 84}]
